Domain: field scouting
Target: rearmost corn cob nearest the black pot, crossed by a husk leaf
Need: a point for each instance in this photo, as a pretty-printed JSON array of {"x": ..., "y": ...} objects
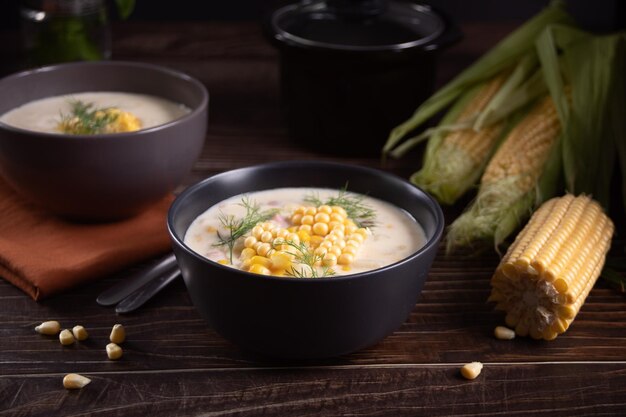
[{"x": 453, "y": 164}]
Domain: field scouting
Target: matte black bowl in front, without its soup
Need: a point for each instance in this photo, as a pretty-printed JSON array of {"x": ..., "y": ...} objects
[{"x": 310, "y": 317}]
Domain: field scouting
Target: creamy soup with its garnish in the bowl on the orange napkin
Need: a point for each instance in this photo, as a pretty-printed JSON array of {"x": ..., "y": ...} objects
[{"x": 123, "y": 111}]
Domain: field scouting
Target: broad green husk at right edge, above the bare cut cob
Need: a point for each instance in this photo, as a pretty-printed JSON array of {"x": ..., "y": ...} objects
[{"x": 594, "y": 67}]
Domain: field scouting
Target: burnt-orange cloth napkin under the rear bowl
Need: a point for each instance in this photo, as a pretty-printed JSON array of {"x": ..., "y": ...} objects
[{"x": 45, "y": 255}]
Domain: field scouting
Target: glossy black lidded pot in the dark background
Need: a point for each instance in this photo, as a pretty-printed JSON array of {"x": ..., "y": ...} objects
[{"x": 352, "y": 70}]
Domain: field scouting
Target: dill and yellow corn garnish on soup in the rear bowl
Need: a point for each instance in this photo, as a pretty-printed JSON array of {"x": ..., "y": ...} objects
[{"x": 85, "y": 119}]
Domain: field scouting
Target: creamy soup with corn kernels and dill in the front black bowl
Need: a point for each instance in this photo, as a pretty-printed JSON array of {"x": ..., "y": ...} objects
[{"x": 304, "y": 232}]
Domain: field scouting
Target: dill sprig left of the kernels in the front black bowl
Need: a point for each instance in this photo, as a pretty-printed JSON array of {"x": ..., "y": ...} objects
[{"x": 236, "y": 228}]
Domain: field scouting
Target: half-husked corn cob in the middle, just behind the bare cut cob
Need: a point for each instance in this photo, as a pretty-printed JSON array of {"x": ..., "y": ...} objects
[{"x": 506, "y": 192}]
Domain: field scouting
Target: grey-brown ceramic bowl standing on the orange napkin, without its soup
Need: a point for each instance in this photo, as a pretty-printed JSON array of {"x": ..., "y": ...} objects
[{"x": 101, "y": 177}]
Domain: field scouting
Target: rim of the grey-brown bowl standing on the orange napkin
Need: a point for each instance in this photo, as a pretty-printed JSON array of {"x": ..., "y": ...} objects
[{"x": 109, "y": 136}]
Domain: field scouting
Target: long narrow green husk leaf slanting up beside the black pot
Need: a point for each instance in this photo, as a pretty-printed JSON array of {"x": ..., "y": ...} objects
[{"x": 507, "y": 52}]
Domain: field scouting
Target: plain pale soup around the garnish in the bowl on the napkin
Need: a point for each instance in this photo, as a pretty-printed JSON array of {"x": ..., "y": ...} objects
[{"x": 44, "y": 115}]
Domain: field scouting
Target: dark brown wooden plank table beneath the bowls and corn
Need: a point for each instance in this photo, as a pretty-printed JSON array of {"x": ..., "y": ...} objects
[{"x": 175, "y": 365}]
